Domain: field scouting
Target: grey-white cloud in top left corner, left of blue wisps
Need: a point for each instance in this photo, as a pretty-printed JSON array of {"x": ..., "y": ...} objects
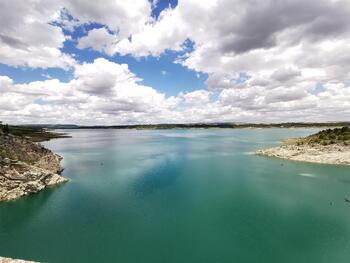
[{"x": 28, "y": 39}]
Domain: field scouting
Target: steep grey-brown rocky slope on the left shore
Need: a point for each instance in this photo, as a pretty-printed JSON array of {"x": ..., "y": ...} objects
[{"x": 26, "y": 167}]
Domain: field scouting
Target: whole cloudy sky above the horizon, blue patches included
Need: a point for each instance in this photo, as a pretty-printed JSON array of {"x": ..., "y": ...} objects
[{"x": 167, "y": 61}]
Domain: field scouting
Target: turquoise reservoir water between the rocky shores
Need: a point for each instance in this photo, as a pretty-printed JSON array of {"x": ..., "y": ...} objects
[{"x": 182, "y": 196}]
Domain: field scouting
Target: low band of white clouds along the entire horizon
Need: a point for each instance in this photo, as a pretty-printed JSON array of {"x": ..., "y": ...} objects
[{"x": 105, "y": 92}]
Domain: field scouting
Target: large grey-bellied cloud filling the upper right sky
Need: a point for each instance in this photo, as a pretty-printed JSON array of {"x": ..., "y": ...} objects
[{"x": 277, "y": 43}]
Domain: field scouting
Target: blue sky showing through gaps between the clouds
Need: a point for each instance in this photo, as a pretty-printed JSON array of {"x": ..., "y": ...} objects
[{"x": 161, "y": 73}]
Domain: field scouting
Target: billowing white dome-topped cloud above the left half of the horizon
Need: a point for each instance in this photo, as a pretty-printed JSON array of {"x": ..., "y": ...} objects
[{"x": 103, "y": 91}]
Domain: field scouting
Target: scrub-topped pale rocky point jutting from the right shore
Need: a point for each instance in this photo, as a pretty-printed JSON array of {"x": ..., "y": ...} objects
[{"x": 328, "y": 147}]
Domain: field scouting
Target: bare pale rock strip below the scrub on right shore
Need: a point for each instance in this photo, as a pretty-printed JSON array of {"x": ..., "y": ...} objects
[{"x": 329, "y": 154}]
